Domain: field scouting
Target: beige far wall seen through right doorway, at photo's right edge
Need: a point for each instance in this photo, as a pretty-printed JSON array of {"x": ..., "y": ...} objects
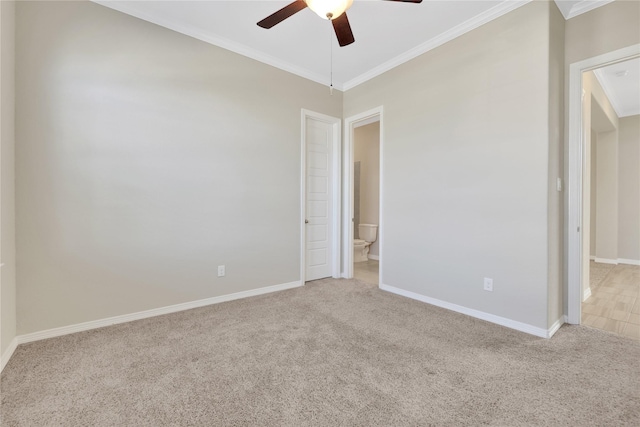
[{"x": 629, "y": 189}]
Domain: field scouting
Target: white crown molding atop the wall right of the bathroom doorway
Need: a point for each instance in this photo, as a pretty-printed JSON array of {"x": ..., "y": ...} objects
[{"x": 473, "y": 23}]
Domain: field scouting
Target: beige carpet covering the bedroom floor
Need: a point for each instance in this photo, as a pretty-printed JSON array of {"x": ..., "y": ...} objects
[{"x": 333, "y": 353}]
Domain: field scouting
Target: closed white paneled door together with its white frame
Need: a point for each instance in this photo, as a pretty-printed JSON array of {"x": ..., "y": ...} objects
[{"x": 320, "y": 197}]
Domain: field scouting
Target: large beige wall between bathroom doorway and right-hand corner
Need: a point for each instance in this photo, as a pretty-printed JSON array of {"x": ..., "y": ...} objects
[{"x": 466, "y": 167}]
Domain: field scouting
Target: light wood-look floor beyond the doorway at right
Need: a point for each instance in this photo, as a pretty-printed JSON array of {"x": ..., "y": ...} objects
[{"x": 614, "y": 304}]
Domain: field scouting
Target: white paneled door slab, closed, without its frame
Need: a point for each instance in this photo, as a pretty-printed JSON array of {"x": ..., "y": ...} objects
[{"x": 319, "y": 199}]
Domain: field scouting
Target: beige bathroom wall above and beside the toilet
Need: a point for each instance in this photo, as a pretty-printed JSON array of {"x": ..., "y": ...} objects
[{"x": 366, "y": 150}]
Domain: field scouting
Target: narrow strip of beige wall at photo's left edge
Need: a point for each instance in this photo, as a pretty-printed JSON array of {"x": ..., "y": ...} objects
[{"x": 7, "y": 173}]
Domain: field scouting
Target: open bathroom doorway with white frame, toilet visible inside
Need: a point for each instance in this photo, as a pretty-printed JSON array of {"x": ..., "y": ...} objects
[{"x": 363, "y": 197}]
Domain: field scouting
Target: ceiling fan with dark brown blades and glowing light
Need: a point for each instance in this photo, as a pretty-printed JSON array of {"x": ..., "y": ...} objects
[{"x": 333, "y": 10}]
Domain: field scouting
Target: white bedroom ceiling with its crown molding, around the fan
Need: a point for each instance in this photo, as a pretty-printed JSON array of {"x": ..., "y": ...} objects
[{"x": 386, "y": 33}]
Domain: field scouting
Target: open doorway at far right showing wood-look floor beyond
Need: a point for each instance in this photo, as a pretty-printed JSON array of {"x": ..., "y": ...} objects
[{"x": 611, "y": 123}]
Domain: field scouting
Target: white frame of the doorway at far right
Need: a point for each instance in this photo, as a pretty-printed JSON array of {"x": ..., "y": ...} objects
[{"x": 575, "y": 229}]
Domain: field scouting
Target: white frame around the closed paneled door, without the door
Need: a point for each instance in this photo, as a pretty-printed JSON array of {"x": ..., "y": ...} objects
[{"x": 334, "y": 215}]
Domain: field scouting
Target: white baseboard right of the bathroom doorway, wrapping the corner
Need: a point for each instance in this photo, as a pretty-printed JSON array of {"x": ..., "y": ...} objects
[{"x": 503, "y": 321}]
